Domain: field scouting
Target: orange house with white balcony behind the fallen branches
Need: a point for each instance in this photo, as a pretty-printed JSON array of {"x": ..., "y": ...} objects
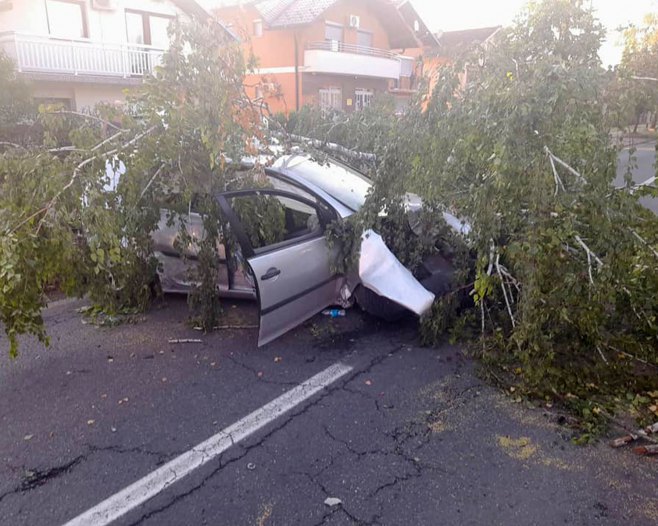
[{"x": 335, "y": 54}]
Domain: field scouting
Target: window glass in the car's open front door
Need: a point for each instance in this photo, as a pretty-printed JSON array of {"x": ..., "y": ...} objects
[{"x": 269, "y": 219}]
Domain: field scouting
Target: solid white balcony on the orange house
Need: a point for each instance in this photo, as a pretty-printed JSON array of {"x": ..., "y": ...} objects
[{"x": 339, "y": 58}]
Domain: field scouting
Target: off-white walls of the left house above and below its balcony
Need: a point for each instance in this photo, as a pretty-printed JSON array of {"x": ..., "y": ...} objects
[{"x": 30, "y": 17}]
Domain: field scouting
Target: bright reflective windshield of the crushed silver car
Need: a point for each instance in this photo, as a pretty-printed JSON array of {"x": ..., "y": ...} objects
[{"x": 342, "y": 183}]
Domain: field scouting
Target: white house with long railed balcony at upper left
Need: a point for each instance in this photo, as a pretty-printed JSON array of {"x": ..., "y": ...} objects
[{"x": 81, "y": 52}]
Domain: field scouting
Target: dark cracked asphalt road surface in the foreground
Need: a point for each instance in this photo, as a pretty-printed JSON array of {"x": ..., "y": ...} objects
[{"x": 410, "y": 436}]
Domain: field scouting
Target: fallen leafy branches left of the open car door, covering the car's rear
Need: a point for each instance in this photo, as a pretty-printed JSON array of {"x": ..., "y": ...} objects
[{"x": 69, "y": 214}]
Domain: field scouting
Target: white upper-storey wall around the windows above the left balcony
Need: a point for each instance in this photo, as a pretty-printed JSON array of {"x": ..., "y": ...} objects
[{"x": 29, "y": 16}]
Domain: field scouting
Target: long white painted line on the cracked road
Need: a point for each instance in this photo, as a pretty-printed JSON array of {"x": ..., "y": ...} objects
[{"x": 148, "y": 487}]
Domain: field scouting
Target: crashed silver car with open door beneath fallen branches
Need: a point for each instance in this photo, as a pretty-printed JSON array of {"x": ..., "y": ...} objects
[{"x": 287, "y": 266}]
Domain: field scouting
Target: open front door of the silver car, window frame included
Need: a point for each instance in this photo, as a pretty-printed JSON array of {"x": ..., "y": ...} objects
[{"x": 281, "y": 235}]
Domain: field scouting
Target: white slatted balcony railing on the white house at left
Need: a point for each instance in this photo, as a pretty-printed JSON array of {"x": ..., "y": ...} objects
[{"x": 84, "y": 57}]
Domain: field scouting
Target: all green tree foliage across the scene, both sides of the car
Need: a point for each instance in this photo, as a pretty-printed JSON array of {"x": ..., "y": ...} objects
[{"x": 557, "y": 293}]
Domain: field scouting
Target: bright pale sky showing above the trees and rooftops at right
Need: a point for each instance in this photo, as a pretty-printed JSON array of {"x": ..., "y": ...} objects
[{"x": 466, "y": 14}]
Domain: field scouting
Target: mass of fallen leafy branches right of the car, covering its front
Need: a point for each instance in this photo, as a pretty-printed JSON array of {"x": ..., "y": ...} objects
[{"x": 565, "y": 297}]
